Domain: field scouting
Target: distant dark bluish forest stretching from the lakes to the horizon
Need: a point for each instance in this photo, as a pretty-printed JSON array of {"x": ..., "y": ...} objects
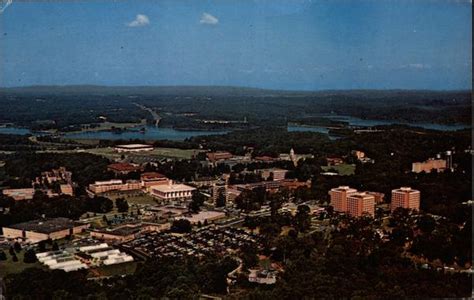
[{"x": 186, "y": 107}]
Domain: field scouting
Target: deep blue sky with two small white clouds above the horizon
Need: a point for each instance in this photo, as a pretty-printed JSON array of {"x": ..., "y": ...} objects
[{"x": 299, "y": 44}]
